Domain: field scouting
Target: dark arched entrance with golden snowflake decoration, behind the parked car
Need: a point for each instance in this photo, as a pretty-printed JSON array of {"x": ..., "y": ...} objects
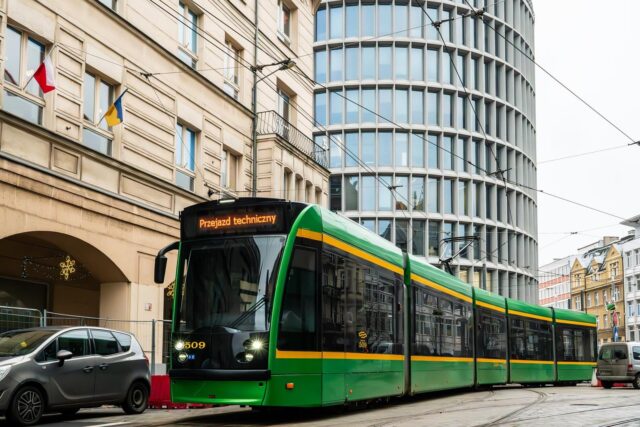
[{"x": 57, "y": 272}]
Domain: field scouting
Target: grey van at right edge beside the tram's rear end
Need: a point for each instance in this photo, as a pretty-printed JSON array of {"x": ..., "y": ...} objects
[{"x": 619, "y": 362}]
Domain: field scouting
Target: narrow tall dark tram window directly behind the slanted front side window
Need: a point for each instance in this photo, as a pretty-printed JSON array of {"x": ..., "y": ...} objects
[{"x": 333, "y": 301}]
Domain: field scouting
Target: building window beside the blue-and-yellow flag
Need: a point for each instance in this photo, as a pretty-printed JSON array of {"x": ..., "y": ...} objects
[{"x": 98, "y": 96}]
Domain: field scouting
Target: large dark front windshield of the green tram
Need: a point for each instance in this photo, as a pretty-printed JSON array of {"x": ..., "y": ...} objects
[{"x": 228, "y": 283}]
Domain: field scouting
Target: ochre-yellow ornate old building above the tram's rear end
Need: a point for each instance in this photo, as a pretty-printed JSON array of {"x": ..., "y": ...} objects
[{"x": 597, "y": 288}]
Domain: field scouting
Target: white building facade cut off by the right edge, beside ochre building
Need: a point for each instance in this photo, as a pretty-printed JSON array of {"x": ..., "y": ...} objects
[{"x": 631, "y": 263}]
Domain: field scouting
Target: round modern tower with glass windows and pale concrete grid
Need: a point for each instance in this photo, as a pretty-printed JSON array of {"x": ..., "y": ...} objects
[{"x": 432, "y": 171}]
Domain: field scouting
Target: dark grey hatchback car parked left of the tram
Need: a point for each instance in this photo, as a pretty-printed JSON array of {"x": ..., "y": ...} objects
[{"x": 61, "y": 370}]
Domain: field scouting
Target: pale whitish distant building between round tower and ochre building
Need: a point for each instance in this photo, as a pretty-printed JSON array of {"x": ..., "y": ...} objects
[{"x": 554, "y": 283}]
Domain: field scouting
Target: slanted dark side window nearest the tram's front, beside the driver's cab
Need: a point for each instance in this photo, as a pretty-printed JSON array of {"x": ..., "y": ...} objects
[{"x": 299, "y": 303}]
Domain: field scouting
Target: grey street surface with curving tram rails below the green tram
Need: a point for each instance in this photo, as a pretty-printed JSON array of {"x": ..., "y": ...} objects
[{"x": 503, "y": 406}]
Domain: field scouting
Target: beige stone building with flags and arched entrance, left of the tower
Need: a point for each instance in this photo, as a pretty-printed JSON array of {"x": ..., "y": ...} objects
[{"x": 85, "y": 207}]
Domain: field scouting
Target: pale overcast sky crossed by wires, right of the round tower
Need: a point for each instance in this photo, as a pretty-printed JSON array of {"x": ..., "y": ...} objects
[{"x": 592, "y": 47}]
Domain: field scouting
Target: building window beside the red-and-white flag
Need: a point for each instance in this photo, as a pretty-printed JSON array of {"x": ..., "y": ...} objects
[{"x": 23, "y": 56}]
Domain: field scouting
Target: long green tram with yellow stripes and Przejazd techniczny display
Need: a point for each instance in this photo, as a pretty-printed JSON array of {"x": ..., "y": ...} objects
[{"x": 287, "y": 304}]
